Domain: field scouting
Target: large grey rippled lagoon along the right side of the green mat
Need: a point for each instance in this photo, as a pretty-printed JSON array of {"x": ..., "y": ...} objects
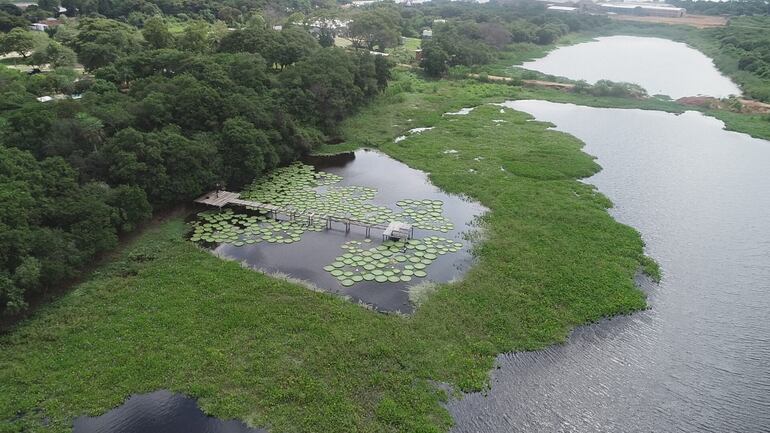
[{"x": 699, "y": 359}]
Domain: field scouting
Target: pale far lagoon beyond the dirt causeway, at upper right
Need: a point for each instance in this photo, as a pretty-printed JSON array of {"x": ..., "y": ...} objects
[{"x": 660, "y": 66}]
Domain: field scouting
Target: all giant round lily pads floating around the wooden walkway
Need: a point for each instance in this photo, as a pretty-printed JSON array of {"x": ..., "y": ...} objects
[{"x": 301, "y": 189}]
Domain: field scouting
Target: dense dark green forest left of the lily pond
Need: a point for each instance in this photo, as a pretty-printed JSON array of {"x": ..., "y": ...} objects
[{"x": 157, "y": 118}]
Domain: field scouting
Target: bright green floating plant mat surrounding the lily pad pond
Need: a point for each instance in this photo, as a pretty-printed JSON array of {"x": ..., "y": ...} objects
[{"x": 168, "y": 315}]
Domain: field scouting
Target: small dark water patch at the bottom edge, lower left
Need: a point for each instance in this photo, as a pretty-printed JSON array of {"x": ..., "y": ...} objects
[{"x": 159, "y": 412}]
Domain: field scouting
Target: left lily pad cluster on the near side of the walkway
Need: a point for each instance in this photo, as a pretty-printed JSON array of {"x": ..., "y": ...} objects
[{"x": 240, "y": 229}]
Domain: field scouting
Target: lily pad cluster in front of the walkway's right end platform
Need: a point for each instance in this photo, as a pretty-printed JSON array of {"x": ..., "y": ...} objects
[{"x": 390, "y": 261}]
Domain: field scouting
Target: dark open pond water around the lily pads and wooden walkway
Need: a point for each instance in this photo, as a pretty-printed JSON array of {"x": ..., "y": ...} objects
[{"x": 394, "y": 181}]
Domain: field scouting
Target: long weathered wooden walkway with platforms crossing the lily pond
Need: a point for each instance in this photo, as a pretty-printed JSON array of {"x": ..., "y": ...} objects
[{"x": 395, "y": 229}]
